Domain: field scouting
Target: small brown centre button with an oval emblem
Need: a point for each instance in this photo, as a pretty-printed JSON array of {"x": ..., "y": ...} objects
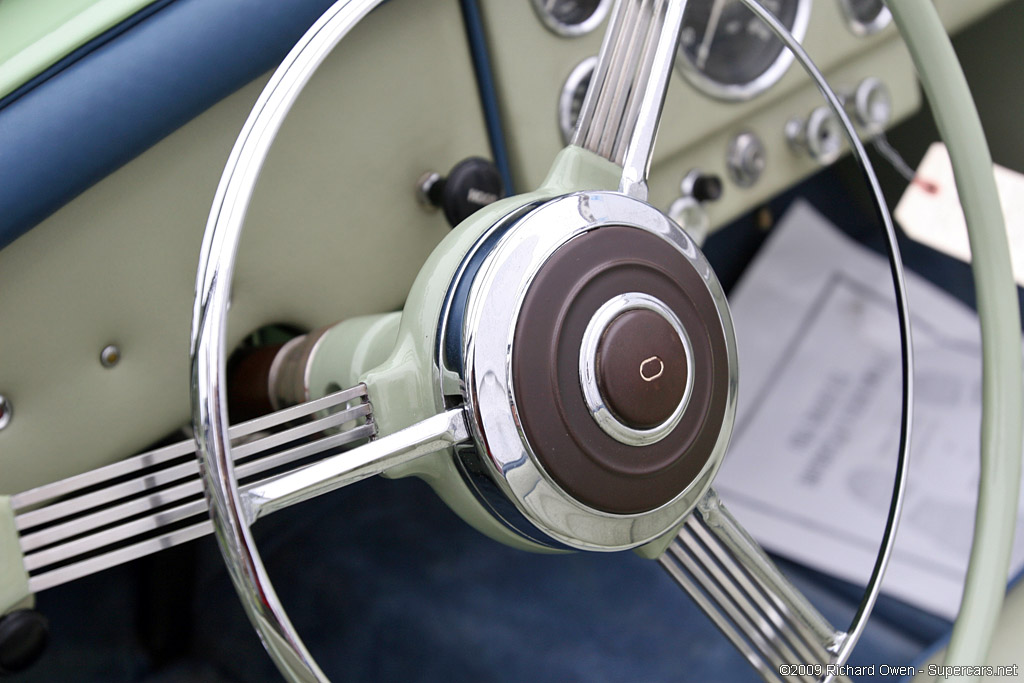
[{"x": 642, "y": 369}]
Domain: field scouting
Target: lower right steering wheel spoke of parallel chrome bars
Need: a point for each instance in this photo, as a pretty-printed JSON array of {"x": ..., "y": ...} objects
[{"x": 738, "y": 586}]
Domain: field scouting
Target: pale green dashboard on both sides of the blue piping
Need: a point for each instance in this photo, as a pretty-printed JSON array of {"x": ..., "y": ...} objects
[{"x": 335, "y": 230}]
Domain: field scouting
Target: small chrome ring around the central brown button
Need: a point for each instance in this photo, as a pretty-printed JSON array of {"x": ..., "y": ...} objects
[{"x": 588, "y": 369}]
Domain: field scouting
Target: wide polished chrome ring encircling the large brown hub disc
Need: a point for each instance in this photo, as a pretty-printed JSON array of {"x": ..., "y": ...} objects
[{"x": 503, "y": 454}]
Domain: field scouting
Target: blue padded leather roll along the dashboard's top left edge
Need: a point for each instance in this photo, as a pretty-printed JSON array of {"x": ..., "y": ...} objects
[{"x": 129, "y": 90}]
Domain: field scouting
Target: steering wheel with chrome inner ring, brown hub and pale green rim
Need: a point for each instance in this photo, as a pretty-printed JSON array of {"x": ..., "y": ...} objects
[{"x": 565, "y": 374}]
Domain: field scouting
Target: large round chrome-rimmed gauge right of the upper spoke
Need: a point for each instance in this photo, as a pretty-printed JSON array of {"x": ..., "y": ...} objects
[{"x": 729, "y": 53}]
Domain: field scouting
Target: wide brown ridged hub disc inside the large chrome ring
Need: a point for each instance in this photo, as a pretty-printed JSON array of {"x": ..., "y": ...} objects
[{"x": 585, "y": 461}]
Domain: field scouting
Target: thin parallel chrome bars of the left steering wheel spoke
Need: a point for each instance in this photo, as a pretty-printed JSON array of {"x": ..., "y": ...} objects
[{"x": 117, "y": 514}]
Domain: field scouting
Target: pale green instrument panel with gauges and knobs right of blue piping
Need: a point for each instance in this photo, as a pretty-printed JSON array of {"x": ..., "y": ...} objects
[{"x": 541, "y": 87}]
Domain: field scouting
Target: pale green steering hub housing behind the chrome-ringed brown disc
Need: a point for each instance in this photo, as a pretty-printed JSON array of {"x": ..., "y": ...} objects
[{"x": 405, "y": 389}]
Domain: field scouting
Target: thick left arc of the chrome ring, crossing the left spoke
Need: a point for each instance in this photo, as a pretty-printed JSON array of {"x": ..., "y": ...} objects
[{"x": 209, "y": 324}]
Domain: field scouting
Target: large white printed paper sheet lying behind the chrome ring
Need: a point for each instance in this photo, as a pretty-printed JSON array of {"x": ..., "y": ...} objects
[{"x": 812, "y": 465}]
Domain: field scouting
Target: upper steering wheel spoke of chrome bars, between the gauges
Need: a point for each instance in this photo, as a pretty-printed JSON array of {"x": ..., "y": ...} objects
[{"x": 620, "y": 116}]
